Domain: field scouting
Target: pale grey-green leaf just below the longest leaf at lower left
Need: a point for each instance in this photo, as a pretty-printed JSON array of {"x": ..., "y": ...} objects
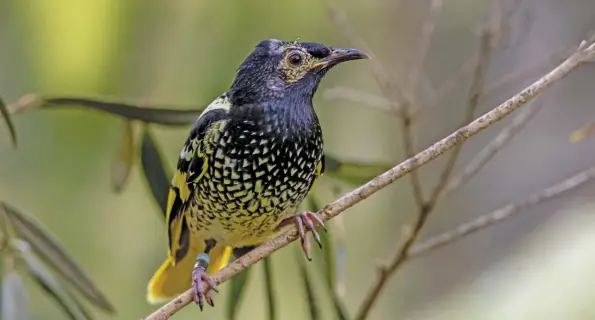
[{"x": 48, "y": 283}]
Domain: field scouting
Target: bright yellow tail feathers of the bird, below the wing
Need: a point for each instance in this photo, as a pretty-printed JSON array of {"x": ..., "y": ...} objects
[{"x": 171, "y": 279}]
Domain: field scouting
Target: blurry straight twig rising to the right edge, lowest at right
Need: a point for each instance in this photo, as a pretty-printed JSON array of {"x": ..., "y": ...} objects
[{"x": 501, "y": 214}]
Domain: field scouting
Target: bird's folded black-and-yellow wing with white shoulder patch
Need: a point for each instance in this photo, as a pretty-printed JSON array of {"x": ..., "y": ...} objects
[{"x": 192, "y": 165}]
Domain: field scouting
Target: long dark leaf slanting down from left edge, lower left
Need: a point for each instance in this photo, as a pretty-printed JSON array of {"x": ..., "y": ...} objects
[{"x": 46, "y": 246}]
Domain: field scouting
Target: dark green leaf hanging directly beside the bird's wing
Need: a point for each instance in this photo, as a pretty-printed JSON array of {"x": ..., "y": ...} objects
[{"x": 154, "y": 169}]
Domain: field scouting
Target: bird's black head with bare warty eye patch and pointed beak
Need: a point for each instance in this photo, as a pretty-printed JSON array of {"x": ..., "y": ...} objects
[{"x": 280, "y": 69}]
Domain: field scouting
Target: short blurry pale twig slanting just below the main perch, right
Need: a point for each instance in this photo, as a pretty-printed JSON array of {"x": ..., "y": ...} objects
[{"x": 493, "y": 147}]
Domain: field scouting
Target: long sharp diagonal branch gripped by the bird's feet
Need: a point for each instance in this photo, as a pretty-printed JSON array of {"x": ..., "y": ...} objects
[{"x": 584, "y": 54}]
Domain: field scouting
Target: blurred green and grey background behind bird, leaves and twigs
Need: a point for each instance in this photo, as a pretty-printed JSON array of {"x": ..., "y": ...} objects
[{"x": 537, "y": 265}]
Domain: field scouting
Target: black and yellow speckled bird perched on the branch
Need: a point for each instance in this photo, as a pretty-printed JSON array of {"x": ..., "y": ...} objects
[{"x": 250, "y": 159}]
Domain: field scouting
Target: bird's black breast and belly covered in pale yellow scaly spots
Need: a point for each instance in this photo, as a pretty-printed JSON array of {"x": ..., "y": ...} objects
[{"x": 262, "y": 160}]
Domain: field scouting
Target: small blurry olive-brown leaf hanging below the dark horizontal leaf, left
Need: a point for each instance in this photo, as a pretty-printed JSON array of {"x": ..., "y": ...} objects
[{"x": 124, "y": 159}]
